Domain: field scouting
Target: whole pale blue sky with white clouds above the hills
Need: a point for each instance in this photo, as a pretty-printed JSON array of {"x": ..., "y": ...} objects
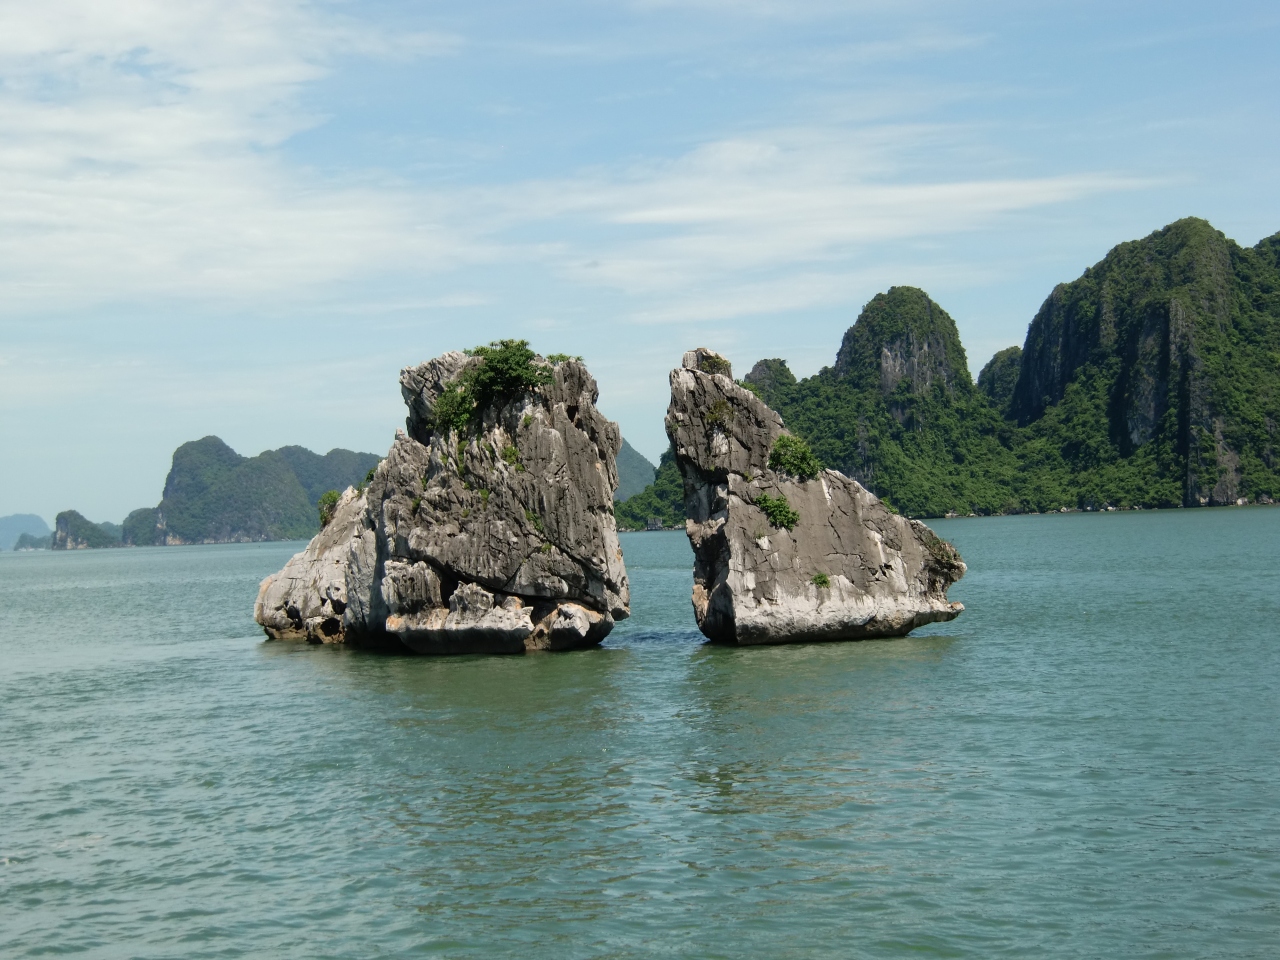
[{"x": 245, "y": 218}]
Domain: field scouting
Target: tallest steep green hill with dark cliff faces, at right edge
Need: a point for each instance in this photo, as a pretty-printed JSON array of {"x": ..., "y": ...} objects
[{"x": 1155, "y": 378}]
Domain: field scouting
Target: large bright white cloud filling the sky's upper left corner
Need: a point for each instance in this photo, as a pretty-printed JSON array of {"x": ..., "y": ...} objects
[{"x": 139, "y": 161}]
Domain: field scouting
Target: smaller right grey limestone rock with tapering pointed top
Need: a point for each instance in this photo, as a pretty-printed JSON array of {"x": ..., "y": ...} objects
[{"x": 847, "y": 569}]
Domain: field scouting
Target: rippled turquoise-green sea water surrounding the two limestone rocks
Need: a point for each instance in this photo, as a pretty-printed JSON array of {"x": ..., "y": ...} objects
[{"x": 1084, "y": 766}]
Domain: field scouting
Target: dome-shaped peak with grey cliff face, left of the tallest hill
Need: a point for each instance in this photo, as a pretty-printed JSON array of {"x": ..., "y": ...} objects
[{"x": 904, "y": 336}]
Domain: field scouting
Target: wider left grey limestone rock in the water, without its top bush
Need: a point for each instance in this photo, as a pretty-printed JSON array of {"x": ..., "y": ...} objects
[{"x": 493, "y": 538}]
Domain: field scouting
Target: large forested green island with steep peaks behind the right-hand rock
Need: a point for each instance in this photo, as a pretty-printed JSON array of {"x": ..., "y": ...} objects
[{"x": 1153, "y": 381}]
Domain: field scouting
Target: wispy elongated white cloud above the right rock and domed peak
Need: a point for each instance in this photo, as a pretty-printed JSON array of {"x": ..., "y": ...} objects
[{"x": 778, "y": 222}]
